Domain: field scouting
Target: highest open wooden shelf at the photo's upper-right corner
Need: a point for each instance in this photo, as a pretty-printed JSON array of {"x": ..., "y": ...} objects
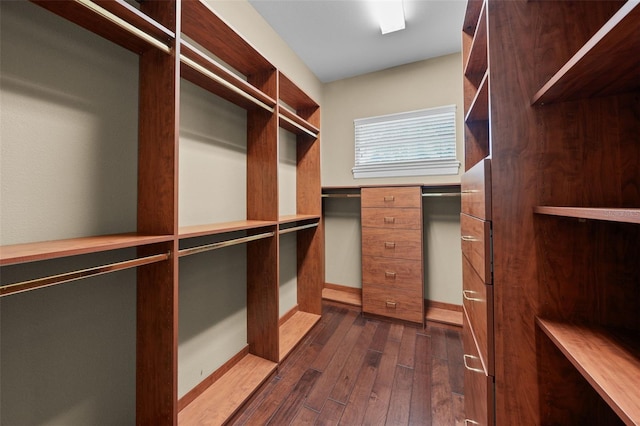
[{"x": 608, "y": 63}]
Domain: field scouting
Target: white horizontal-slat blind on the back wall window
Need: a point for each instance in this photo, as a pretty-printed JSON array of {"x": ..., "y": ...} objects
[{"x": 411, "y": 143}]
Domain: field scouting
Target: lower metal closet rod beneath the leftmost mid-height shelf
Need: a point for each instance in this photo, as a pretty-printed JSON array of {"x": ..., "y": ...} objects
[{"x": 83, "y": 273}]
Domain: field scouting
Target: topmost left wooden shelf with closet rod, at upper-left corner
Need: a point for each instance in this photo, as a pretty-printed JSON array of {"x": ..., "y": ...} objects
[{"x": 114, "y": 20}]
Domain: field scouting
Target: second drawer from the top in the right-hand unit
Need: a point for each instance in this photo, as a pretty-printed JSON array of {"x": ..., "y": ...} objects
[{"x": 476, "y": 244}]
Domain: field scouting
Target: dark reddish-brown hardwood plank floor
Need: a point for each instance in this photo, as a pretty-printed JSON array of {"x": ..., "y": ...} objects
[{"x": 352, "y": 370}]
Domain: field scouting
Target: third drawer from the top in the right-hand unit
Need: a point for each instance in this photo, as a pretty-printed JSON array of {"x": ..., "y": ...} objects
[{"x": 477, "y": 299}]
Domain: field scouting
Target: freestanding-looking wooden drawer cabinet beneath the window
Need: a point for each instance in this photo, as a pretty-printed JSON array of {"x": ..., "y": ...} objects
[{"x": 392, "y": 259}]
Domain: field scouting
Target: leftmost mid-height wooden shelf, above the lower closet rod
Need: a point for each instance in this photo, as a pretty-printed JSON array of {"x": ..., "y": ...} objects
[{"x": 32, "y": 252}]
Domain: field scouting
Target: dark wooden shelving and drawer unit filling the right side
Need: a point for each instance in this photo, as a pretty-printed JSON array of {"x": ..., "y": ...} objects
[{"x": 554, "y": 169}]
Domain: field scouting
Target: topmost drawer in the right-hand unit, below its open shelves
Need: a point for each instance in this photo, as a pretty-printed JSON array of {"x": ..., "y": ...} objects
[{"x": 476, "y": 190}]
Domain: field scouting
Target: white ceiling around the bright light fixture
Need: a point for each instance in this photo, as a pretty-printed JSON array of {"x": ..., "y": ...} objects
[{"x": 340, "y": 38}]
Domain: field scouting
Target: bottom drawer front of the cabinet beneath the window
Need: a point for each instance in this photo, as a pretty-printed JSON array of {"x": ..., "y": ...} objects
[{"x": 401, "y": 304}]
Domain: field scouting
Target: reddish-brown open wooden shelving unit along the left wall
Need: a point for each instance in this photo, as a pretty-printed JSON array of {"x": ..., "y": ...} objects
[{"x": 188, "y": 40}]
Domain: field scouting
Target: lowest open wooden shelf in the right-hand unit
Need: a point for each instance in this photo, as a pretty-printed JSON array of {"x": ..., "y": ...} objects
[{"x": 609, "y": 361}]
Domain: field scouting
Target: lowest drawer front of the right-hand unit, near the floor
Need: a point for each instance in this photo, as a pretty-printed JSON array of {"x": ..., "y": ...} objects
[{"x": 478, "y": 387}]
